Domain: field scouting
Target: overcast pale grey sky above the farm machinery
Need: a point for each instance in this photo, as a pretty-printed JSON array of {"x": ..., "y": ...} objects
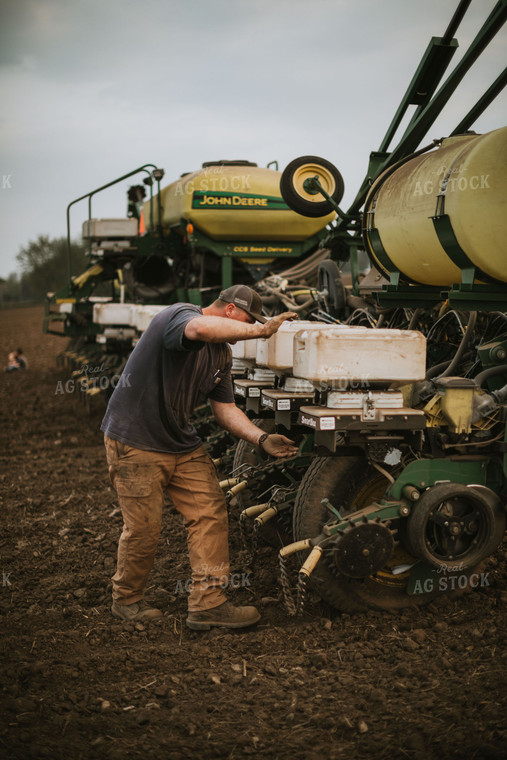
[{"x": 91, "y": 89}]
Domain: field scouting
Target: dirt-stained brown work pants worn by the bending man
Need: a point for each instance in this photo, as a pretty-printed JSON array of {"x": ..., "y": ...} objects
[{"x": 140, "y": 478}]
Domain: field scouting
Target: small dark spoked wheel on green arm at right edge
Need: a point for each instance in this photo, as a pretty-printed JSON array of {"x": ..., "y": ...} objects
[{"x": 453, "y": 524}]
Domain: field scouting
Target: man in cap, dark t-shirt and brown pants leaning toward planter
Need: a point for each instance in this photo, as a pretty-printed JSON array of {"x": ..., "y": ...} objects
[{"x": 151, "y": 446}]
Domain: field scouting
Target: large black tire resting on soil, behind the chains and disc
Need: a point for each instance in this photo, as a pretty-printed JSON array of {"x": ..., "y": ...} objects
[{"x": 351, "y": 484}]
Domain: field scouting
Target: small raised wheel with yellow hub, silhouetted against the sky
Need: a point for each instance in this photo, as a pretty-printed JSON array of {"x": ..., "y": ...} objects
[{"x": 296, "y": 189}]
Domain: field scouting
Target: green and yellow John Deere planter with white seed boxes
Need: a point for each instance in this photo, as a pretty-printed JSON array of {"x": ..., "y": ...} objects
[{"x": 393, "y": 382}]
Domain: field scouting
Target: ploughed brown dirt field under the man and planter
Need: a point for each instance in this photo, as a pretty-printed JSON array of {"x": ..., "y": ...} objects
[{"x": 78, "y": 684}]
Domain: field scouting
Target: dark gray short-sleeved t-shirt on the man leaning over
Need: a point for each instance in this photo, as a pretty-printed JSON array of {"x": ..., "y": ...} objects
[{"x": 164, "y": 380}]
